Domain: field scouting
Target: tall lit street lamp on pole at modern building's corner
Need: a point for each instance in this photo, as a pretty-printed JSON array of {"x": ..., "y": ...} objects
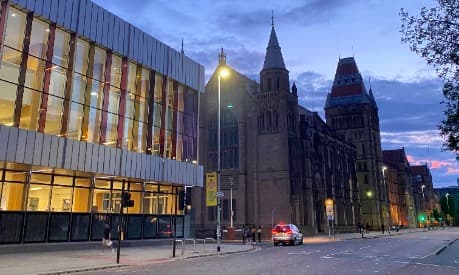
[{"x": 223, "y": 72}]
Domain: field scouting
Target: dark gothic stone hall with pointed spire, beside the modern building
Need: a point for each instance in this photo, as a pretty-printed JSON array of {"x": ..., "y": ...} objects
[{"x": 280, "y": 162}]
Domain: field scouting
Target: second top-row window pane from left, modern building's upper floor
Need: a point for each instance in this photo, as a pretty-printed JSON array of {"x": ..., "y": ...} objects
[{"x": 39, "y": 38}]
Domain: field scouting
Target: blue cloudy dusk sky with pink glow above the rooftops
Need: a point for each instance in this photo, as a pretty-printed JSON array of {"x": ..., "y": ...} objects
[{"x": 313, "y": 34}]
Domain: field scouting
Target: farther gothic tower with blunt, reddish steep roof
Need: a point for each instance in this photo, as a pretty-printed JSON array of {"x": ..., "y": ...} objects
[{"x": 353, "y": 113}]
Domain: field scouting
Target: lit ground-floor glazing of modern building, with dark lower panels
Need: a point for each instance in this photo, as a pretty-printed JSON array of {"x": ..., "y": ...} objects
[{"x": 67, "y": 207}]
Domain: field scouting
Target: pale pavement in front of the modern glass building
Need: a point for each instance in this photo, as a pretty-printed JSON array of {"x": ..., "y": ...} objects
[{"x": 68, "y": 261}]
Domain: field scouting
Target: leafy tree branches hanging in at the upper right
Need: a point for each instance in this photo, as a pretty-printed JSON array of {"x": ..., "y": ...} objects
[{"x": 434, "y": 35}]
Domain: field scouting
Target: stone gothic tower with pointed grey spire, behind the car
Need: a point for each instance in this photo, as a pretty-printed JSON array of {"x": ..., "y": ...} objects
[{"x": 276, "y": 175}]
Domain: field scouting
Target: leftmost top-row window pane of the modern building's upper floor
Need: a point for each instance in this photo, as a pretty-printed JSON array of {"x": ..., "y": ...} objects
[{"x": 15, "y": 29}]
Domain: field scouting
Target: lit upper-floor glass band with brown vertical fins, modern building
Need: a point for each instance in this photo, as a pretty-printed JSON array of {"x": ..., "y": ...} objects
[{"x": 59, "y": 84}]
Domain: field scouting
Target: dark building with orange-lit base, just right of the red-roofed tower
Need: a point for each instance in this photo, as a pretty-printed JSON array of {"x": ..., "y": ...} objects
[{"x": 397, "y": 179}]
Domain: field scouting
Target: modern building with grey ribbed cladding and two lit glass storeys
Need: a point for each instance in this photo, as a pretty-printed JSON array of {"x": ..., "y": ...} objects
[{"x": 90, "y": 106}]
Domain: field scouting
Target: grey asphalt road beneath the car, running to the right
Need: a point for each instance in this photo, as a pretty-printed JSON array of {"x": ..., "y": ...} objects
[{"x": 402, "y": 254}]
